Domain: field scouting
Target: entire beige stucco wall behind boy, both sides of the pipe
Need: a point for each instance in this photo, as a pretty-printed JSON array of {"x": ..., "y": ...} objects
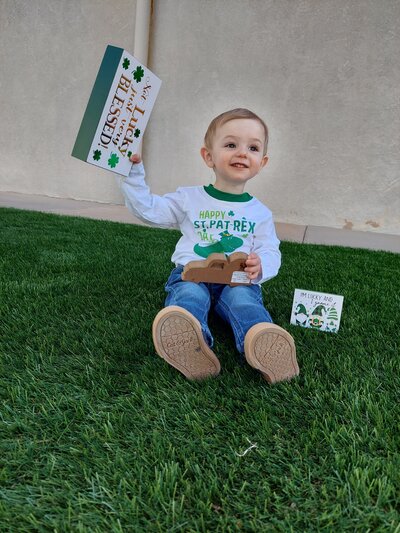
[{"x": 324, "y": 74}]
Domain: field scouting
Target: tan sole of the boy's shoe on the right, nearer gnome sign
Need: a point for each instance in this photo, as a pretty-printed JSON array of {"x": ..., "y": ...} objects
[{"x": 271, "y": 350}]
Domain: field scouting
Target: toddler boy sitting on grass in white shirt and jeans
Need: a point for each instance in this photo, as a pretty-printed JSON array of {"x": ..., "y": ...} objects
[{"x": 218, "y": 218}]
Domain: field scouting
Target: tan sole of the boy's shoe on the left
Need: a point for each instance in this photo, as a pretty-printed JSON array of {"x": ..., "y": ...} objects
[{"x": 178, "y": 339}]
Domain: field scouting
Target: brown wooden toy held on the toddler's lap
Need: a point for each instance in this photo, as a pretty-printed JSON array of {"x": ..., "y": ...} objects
[{"x": 218, "y": 268}]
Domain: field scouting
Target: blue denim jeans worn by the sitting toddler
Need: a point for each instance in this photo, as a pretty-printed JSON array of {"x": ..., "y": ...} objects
[{"x": 241, "y": 306}]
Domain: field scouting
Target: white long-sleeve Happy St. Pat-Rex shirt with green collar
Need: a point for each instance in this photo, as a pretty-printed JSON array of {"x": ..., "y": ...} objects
[{"x": 209, "y": 220}]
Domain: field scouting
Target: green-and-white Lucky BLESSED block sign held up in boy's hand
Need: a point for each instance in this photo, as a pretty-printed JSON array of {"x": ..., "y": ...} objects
[{"x": 117, "y": 113}]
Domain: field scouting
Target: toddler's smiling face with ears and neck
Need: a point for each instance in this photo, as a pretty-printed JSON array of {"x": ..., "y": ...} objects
[{"x": 236, "y": 154}]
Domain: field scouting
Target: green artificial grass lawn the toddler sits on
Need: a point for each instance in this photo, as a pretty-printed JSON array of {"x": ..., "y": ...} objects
[{"x": 99, "y": 434}]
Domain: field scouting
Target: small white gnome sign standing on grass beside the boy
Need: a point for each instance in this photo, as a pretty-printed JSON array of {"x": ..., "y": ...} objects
[{"x": 316, "y": 310}]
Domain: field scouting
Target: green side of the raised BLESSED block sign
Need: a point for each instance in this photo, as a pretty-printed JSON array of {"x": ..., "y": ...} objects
[{"x": 97, "y": 100}]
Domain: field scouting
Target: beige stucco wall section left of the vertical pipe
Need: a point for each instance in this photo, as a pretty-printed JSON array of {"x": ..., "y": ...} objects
[{"x": 50, "y": 53}]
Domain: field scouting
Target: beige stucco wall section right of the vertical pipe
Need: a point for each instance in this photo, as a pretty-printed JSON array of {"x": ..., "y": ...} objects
[{"x": 325, "y": 76}]
